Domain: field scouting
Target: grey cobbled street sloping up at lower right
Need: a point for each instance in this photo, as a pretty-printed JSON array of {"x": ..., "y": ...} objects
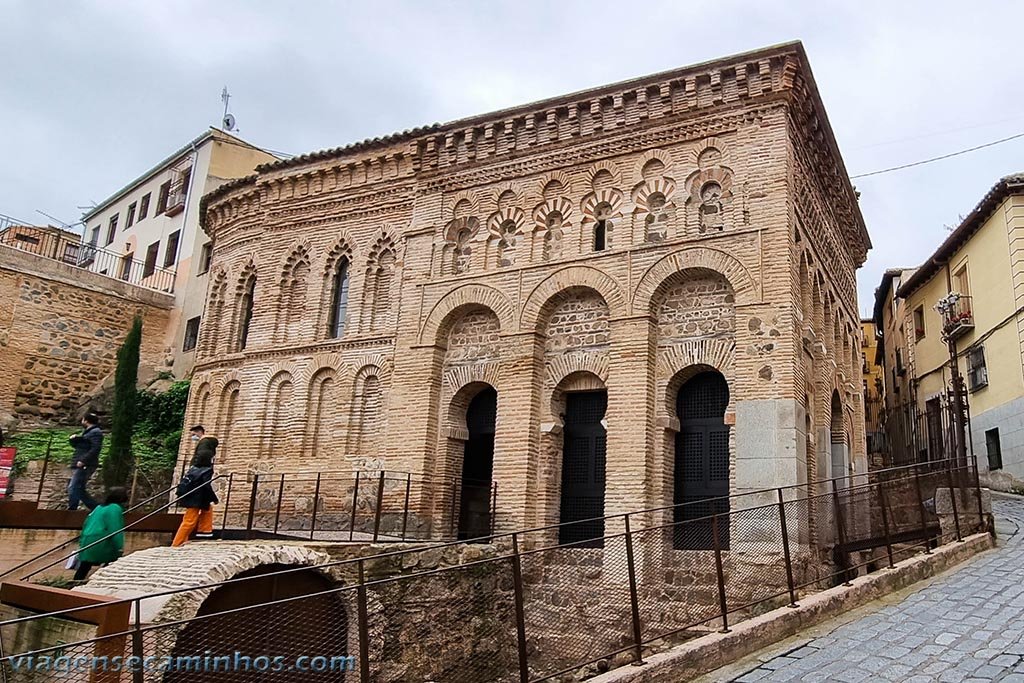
[{"x": 967, "y": 626}]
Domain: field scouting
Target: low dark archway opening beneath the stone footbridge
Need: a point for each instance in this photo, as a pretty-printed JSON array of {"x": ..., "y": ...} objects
[{"x": 315, "y": 627}]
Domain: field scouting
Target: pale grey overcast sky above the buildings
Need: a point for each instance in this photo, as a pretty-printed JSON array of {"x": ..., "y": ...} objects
[{"x": 95, "y": 94}]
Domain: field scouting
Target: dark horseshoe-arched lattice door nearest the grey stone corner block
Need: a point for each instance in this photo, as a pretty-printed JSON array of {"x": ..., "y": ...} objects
[{"x": 702, "y": 462}]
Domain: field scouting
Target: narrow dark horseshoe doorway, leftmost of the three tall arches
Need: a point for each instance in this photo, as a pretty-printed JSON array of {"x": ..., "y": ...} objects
[{"x": 478, "y": 466}]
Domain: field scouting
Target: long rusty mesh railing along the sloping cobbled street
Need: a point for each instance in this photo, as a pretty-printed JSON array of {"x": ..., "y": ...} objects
[{"x": 538, "y": 610}]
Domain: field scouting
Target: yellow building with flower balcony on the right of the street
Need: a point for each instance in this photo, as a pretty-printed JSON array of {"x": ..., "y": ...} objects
[{"x": 978, "y": 273}]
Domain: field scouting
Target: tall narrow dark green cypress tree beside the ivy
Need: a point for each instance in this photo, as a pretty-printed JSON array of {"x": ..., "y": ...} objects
[{"x": 117, "y": 467}]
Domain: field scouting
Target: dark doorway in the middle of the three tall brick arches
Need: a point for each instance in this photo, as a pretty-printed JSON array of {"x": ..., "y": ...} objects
[{"x": 584, "y": 455}]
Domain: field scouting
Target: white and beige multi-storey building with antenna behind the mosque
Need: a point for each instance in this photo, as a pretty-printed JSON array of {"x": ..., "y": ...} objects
[{"x": 148, "y": 233}]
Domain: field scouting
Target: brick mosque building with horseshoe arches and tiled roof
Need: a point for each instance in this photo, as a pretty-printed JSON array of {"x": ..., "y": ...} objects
[{"x": 617, "y": 300}]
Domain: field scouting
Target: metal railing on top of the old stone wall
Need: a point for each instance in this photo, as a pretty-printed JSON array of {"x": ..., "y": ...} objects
[{"x": 61, "y": 247}]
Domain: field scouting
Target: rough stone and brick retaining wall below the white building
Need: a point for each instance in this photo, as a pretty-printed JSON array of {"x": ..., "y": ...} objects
[{"x": 61, "y": 328}]
